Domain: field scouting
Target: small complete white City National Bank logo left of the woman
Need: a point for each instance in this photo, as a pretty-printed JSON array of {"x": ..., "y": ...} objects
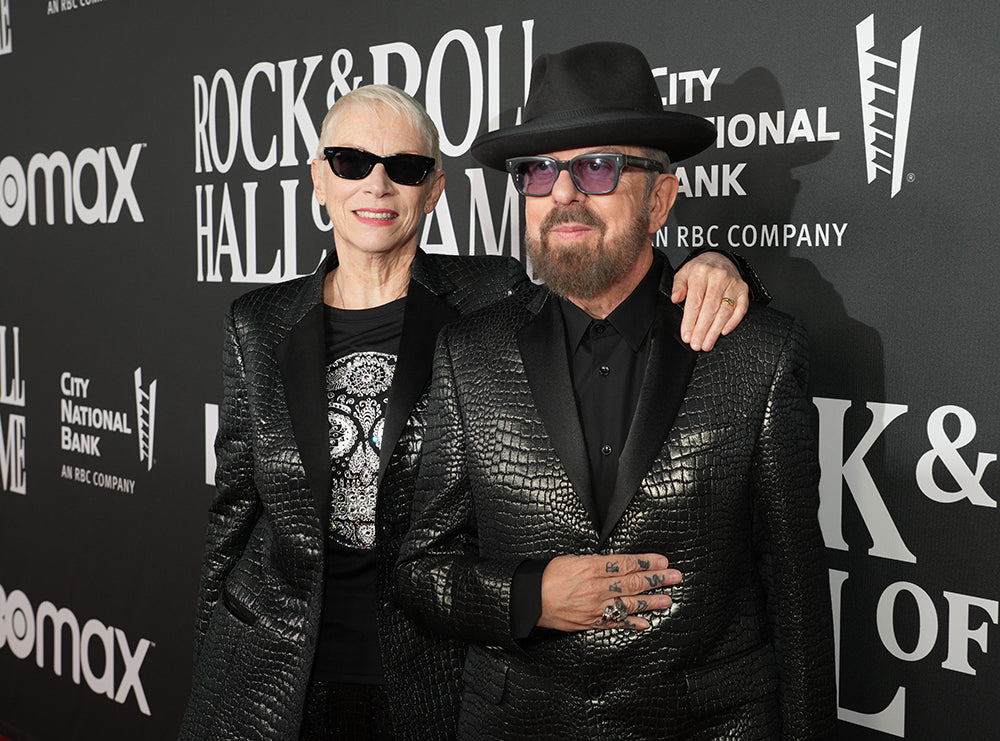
[{"x": 87, "y": 426}]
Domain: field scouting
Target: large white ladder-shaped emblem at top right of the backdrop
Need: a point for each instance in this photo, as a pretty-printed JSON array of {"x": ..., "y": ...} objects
[{"x": 886, "y": 102}]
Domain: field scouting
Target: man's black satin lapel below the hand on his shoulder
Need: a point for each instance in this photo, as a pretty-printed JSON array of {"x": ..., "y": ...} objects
[{"x": 663, "y": 386}]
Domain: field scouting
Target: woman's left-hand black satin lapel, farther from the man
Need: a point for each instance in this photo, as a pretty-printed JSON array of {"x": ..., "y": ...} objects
[{"x": 302, "y": 362}]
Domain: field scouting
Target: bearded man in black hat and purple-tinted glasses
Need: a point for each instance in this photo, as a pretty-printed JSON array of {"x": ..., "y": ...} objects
[{"x": 580, "y": 461}]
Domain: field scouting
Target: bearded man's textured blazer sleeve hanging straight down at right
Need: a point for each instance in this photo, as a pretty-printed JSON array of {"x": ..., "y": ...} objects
[{"x": 789, "y": 548}]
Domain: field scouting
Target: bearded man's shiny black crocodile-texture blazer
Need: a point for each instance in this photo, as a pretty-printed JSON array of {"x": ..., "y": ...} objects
[{"x": 719, "y": 473}]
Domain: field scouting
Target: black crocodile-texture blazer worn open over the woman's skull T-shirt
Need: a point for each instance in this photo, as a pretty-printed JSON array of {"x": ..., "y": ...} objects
[{"x": 261, "y": 592}]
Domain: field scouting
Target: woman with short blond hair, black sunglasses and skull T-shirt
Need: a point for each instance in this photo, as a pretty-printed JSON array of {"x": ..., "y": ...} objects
[{"x": 299, "y": 634}]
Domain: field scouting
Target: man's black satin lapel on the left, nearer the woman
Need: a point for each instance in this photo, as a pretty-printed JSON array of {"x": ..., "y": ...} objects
[{"x": 542, "y": 342}]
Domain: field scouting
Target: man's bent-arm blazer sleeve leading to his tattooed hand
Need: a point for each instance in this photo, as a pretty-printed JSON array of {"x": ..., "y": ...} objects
[{"x": 443, "y": 581}]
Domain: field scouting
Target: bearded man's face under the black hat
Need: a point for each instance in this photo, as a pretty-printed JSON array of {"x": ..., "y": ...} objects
[{"x": 582, "y": 245}]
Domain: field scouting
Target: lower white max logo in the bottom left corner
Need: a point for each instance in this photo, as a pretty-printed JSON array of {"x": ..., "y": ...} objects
[{"x": 97, "y": 652}]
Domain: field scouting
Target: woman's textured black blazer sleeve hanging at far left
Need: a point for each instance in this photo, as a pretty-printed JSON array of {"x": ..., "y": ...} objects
[{"x": 235, "y": 509}]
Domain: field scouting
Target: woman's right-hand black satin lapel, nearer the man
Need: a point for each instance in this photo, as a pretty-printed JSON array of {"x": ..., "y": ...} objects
[{"x": 425, "y": 315}]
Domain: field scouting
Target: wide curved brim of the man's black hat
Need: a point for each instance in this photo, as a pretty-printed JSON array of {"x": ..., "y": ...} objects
[{"x": 680, "y": 135}]
